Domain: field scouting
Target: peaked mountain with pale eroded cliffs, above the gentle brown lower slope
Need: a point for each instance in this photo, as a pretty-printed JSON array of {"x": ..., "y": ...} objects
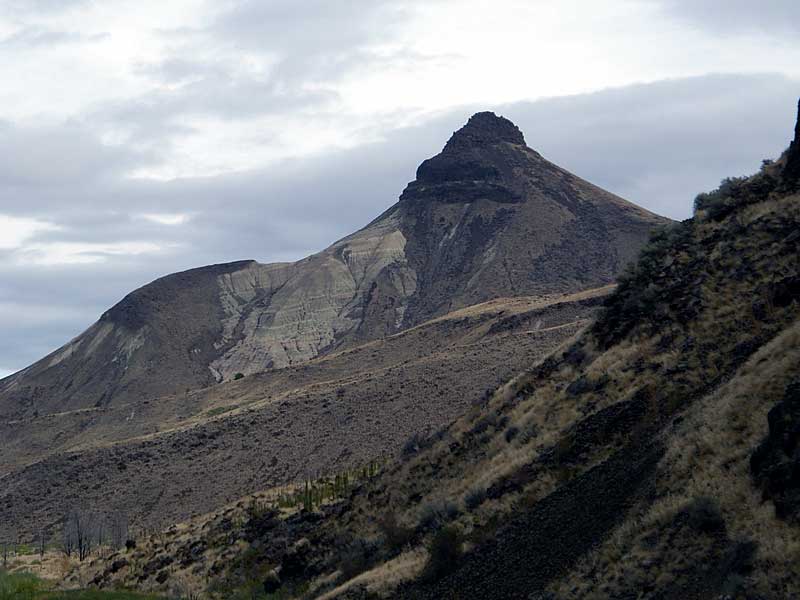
[{"x": 486, "y": 218}]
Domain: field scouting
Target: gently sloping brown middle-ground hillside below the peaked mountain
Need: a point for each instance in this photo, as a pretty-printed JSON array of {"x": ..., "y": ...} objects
[{"x": 161, "y": 460}]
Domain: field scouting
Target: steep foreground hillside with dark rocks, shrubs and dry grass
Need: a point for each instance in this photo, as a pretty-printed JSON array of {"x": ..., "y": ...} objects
[{"x": 654, "y": 456}]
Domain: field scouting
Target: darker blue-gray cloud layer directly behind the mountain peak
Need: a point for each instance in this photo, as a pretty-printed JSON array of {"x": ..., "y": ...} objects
[{"x": 657, "y": 145}]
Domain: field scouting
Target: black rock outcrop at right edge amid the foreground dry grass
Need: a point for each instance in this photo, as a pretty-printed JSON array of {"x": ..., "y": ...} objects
[{"x": 775, "y": 463}]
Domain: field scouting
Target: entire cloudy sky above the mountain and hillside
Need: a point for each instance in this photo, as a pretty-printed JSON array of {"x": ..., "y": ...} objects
[{"x": 143, "y": 137}]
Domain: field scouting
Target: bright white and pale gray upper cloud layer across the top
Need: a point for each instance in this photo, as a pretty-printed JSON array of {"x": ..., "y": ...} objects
[{"x": 212, "y": 87}]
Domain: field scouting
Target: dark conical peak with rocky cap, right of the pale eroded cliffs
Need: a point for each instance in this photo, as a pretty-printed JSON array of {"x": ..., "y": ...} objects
[{"x": 488, "y": 213}]
